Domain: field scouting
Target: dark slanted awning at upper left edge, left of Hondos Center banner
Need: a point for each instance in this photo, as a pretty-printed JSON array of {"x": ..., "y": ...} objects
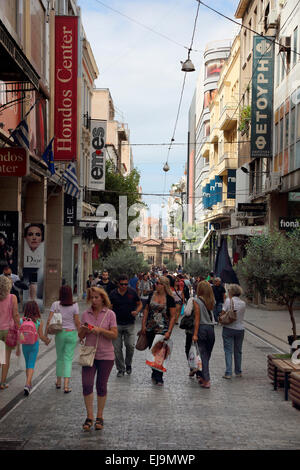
[{"x": 14, "y": 65}]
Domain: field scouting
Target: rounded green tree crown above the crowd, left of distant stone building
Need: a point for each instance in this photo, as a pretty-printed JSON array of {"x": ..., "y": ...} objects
[{"x": 124, "y": 260}]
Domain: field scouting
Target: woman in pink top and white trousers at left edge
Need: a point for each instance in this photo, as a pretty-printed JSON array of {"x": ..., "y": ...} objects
[{"x": 9, "y": 316}]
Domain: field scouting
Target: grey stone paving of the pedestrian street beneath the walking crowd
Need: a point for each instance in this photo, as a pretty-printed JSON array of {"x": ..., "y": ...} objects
[{"x": 244, "y": 413}]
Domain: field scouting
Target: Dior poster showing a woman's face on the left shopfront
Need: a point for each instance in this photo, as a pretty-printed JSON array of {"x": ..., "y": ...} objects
[{"x": 33, "y": 272}]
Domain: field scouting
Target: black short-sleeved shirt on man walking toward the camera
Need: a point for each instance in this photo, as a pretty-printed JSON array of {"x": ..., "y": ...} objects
[{"x": 123, "y": 305}]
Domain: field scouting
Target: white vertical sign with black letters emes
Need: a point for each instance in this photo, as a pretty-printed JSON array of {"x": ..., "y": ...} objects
[{"x": 97, "y": 155}]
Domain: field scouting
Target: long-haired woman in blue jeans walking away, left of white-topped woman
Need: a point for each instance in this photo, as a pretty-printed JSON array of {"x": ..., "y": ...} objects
[{"x": 204, "y": 332}]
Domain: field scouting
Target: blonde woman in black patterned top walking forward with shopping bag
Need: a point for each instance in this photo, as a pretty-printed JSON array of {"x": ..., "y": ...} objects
[{"x": 159, "y": 318}]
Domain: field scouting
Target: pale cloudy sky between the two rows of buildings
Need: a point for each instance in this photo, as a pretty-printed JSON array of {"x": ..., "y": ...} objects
[{"x": 143, "y": 72}]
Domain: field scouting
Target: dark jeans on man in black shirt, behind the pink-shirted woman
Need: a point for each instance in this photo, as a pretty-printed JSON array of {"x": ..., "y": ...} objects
[{"x": 126, "y": 334}]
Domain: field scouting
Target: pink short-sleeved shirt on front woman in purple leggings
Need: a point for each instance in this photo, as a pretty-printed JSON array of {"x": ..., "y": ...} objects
[{"x": 105, "y": 349}]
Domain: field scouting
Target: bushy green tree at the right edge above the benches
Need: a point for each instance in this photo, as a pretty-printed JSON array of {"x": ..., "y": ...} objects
[{"x": 272, "y": 267}]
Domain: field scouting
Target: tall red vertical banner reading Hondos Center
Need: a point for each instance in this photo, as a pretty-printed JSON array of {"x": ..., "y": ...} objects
[{"x": 66, "y": 65}]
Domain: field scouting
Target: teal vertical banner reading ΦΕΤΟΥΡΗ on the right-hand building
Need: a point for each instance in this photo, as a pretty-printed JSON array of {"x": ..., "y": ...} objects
[{"x": 262, "y": 97}]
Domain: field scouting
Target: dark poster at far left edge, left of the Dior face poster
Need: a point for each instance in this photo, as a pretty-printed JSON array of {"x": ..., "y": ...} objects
[{"x": 9, "y": 223}]
